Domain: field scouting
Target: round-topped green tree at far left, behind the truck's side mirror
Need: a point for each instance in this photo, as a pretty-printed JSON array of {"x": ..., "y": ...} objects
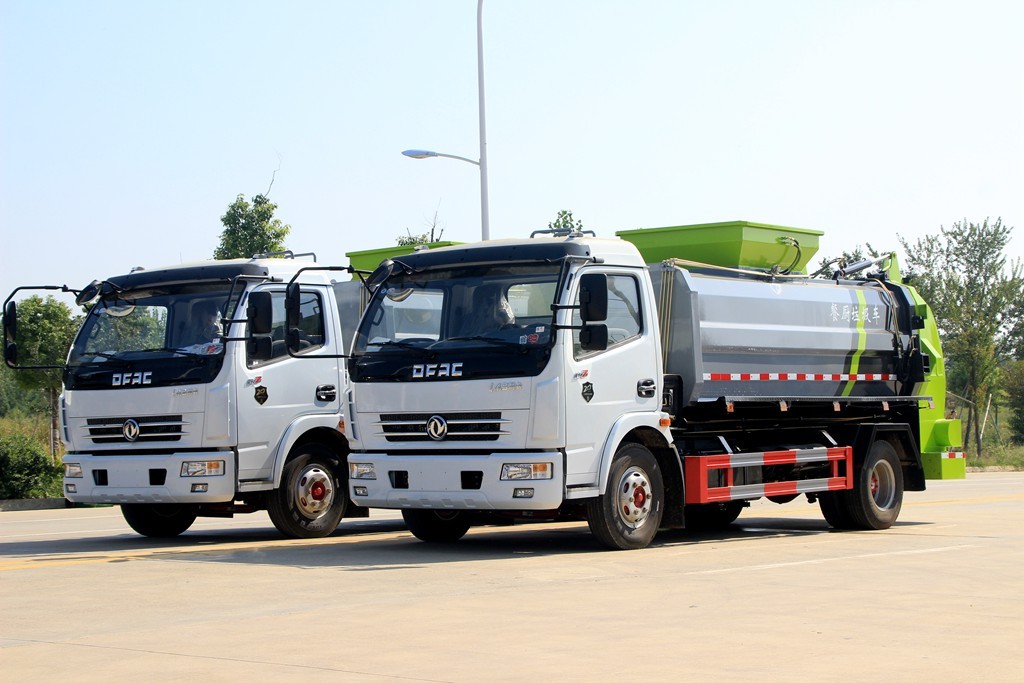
[{"x": 46, "y": 331}]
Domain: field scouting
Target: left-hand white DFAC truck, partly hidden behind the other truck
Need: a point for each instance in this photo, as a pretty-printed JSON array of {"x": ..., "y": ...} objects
[{"x": 176, "y": 406}]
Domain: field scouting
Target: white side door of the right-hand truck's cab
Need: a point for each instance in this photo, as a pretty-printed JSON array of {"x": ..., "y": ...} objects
[{"x": 604, "y": 386}]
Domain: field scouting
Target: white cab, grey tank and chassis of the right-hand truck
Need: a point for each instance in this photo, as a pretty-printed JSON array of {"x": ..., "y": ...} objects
[{"x": 565, "y": 378}]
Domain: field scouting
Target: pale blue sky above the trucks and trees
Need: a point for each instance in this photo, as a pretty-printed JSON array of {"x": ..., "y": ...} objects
[{"x": 126, "y": 129}]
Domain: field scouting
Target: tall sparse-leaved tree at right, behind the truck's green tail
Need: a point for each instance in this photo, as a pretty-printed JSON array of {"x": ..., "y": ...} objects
[{"x": 964, "y": 276}]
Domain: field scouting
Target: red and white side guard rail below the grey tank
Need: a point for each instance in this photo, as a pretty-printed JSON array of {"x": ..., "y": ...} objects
[{"x": 701, "y": 469}]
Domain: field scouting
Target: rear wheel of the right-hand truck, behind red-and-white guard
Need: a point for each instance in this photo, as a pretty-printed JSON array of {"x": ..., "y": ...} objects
[{"x": 877, "y": 497}]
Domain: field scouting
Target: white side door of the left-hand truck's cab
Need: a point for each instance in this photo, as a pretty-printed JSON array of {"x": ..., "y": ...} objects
[{"x": 275, "y": 393}]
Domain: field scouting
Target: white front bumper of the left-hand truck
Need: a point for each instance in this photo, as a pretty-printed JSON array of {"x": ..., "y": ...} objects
[{"x": 127, "y": 479}]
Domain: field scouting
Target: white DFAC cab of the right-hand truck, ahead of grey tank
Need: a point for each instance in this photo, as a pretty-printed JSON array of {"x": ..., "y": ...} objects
[{"x": 486, "y": 389}]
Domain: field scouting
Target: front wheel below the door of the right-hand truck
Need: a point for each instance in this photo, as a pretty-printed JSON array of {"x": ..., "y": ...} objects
[{"x": 628, "y": 515}]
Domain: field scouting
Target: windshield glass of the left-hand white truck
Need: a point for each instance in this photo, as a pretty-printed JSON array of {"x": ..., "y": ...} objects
[{"x": 178, "y": 321}]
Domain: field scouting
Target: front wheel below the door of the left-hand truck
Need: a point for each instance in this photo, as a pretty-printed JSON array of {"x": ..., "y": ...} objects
[{"x": 313, "y": 497}]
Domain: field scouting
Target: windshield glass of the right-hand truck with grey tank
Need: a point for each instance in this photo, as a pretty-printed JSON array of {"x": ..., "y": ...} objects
[{"x": 493, "y": 308}]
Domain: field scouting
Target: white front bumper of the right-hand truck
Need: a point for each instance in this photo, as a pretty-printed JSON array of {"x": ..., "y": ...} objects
[{"x": 456, "y": 483}]
